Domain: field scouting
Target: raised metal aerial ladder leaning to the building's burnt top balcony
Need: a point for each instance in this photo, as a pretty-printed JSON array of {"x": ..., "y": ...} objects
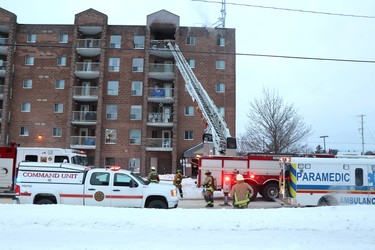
[{"x": 216, "y": 130}]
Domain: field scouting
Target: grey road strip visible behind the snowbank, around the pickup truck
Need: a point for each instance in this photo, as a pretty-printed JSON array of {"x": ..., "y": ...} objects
[{"x": 200, "y": 203}]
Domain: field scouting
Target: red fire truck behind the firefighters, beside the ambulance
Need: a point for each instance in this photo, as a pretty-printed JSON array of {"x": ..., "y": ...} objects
[{"x": 260, "y": 171}]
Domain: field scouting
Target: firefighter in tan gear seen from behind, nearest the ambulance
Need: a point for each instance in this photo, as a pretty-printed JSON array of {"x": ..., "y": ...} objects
[{"x": 241, "y": 193}]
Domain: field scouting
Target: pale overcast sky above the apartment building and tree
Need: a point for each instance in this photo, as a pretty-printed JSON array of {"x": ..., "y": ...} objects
[{"x": 330, "y": 95}]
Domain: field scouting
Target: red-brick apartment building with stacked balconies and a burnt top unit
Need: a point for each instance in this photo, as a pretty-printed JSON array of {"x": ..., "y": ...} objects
[{"x": 113, "y": 91}]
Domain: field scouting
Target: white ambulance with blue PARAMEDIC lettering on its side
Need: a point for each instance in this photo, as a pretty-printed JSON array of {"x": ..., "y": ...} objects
[{"x": 327, "y": 181}]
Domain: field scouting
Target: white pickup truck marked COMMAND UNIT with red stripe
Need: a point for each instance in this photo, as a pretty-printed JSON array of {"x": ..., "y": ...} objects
[{"x": 65, "y": 183}]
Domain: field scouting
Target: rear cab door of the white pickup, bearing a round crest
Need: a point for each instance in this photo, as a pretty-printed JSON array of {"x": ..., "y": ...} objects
[{"x": 97, "y": 189}]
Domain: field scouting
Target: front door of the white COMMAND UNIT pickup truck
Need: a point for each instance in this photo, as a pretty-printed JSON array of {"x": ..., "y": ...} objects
[{"x": 126, "y": 192}]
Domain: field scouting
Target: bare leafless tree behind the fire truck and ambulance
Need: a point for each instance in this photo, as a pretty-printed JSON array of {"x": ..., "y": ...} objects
[{"x": 274, "y": 126}]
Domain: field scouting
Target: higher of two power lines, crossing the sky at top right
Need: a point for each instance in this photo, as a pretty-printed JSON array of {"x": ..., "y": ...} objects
[{"x": 288, "y": 9}]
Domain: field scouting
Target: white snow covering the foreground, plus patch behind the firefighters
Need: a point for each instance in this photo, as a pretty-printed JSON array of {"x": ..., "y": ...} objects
[{"x": 92, "y": 228}]
